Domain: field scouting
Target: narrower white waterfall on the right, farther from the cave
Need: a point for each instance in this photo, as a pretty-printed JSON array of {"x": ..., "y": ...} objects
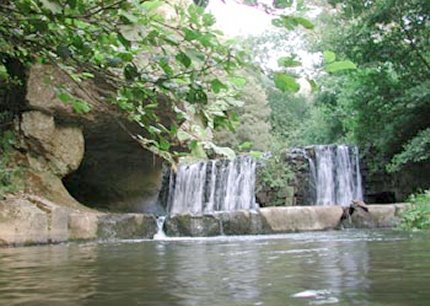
[{"x": 337, "y": 174}]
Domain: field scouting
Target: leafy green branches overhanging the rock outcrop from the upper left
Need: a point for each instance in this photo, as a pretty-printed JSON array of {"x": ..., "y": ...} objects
[{"x": 140, "y": 52}]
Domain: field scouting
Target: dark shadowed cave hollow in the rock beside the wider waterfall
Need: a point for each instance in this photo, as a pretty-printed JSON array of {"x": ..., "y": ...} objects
[{"x": 116, "y": 173}]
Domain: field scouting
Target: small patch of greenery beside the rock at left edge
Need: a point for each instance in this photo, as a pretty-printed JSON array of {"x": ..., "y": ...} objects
[{"x": 10, "y": 174}]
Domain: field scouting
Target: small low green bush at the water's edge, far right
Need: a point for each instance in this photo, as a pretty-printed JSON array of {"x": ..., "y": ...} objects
[{"x": 417, "y": 215}]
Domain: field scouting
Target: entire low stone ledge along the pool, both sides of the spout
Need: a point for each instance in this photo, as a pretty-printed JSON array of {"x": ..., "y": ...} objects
[{"x": 29, "y": 220}]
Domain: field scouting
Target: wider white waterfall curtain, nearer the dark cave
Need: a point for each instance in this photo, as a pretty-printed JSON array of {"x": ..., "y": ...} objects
[{"x": 214, "y": 185}]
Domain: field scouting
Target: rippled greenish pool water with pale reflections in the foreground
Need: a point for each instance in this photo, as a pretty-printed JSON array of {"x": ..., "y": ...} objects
[{"x": 336, "y": 268}]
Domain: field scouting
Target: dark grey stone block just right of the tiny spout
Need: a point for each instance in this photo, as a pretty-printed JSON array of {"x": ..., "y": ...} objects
[{"x": 192, "y": 226}]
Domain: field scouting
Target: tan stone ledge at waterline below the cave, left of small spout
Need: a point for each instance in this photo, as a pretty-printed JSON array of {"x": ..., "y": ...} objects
[{"x": 32, "y": 220}]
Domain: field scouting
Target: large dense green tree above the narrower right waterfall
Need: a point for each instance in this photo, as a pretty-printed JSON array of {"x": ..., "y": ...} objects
[{"x": 384, "y": 105}]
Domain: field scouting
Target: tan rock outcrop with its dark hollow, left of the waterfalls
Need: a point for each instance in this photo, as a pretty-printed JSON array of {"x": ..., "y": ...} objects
[{"x": 91, "y": 159}]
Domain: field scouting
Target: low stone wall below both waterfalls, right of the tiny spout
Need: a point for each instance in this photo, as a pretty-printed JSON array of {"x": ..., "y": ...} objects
[{"x": 277, "y": 220}]
